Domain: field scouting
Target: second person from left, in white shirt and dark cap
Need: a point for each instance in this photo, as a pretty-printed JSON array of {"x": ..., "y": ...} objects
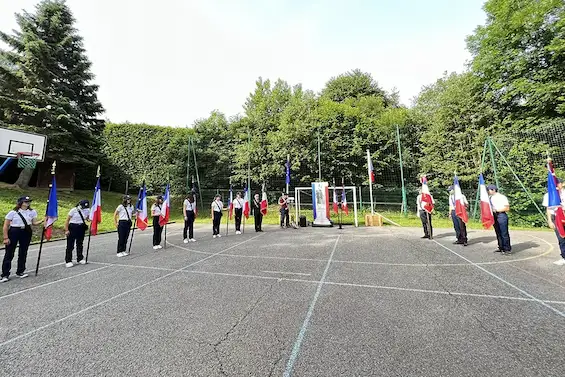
[{"x": 75, "y": 227}]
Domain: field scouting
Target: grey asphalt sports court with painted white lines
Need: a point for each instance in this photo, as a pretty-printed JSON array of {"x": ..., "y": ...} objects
[{"x": 307, "y": 302}]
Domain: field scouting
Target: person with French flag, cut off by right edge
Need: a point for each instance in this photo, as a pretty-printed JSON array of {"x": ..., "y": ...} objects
[{"x": 554, "y": 200}]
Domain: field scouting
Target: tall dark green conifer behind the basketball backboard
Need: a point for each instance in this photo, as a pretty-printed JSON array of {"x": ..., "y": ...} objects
[{"x": 45, "y": 85}]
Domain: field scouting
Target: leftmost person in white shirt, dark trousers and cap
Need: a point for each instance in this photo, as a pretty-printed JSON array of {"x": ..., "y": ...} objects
[{"x": 17, "y": 230}]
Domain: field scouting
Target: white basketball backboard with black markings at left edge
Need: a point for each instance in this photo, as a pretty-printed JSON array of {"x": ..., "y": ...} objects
[{"x": 13, "y": 142}]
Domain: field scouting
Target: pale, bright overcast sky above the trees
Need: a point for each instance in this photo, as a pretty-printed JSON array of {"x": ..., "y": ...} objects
[{"x": 170, "y": 62}]
